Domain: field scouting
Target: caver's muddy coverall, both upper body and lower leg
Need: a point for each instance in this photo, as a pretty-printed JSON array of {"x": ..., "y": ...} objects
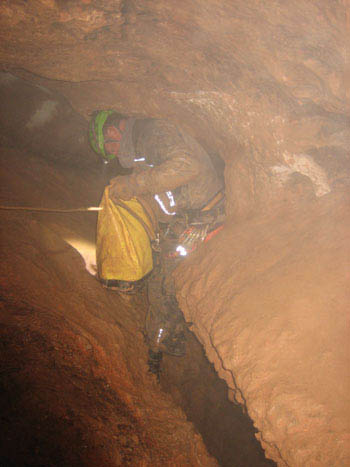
[{"x": 167, "y": 160}]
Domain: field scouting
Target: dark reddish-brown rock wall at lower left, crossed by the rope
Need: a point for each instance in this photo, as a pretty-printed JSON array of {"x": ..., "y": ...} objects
[{"x": 75, "y": 389}]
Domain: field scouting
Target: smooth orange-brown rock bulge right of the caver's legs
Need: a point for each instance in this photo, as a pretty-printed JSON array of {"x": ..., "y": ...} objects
[{"x": 272, "y": 314}]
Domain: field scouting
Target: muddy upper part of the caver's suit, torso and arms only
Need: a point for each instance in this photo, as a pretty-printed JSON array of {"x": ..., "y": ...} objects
[{"x": 174, "y": 161}]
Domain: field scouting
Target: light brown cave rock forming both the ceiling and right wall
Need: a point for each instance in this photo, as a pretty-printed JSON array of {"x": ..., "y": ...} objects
[{"x": 265, "y": 85}]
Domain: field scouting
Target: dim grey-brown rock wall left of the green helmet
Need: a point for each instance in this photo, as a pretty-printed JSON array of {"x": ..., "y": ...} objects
[{"x": 42, "y": 122}]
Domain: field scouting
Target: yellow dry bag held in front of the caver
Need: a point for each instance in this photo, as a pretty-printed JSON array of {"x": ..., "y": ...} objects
[{"x": 123, "y": 247}]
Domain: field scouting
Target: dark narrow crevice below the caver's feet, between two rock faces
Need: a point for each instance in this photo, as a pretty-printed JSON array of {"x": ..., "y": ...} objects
[{"x": 227, "y": 431}]
